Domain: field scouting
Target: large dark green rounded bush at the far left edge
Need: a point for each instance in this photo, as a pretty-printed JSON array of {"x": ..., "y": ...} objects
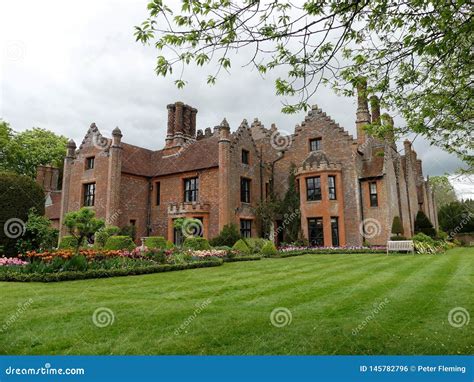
[{"x": 18, "y": 194}]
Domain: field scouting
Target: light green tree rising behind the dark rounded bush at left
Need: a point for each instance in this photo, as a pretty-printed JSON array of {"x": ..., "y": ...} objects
[{"x": 22, "y": 152}]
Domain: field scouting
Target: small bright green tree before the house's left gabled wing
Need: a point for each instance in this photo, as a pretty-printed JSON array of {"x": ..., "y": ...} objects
[{"x": 82, "y": 224}]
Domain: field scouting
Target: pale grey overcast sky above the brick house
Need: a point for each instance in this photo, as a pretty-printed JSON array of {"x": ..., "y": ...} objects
[{"x": 66, "y": 64}]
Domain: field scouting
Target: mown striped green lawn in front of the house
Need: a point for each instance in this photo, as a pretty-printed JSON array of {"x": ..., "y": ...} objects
[{"x": 329, "y": 296}]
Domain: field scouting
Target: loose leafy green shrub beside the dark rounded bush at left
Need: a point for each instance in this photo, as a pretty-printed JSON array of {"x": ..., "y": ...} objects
[{"x": 38, "y": 235}]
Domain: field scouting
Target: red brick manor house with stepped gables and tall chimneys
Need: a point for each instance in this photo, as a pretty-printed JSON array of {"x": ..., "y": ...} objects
[{"x": 219, "y": 176}]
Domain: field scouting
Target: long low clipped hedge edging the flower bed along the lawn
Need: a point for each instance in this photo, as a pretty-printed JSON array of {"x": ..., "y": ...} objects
[{"x": 103, "y": 273}]
